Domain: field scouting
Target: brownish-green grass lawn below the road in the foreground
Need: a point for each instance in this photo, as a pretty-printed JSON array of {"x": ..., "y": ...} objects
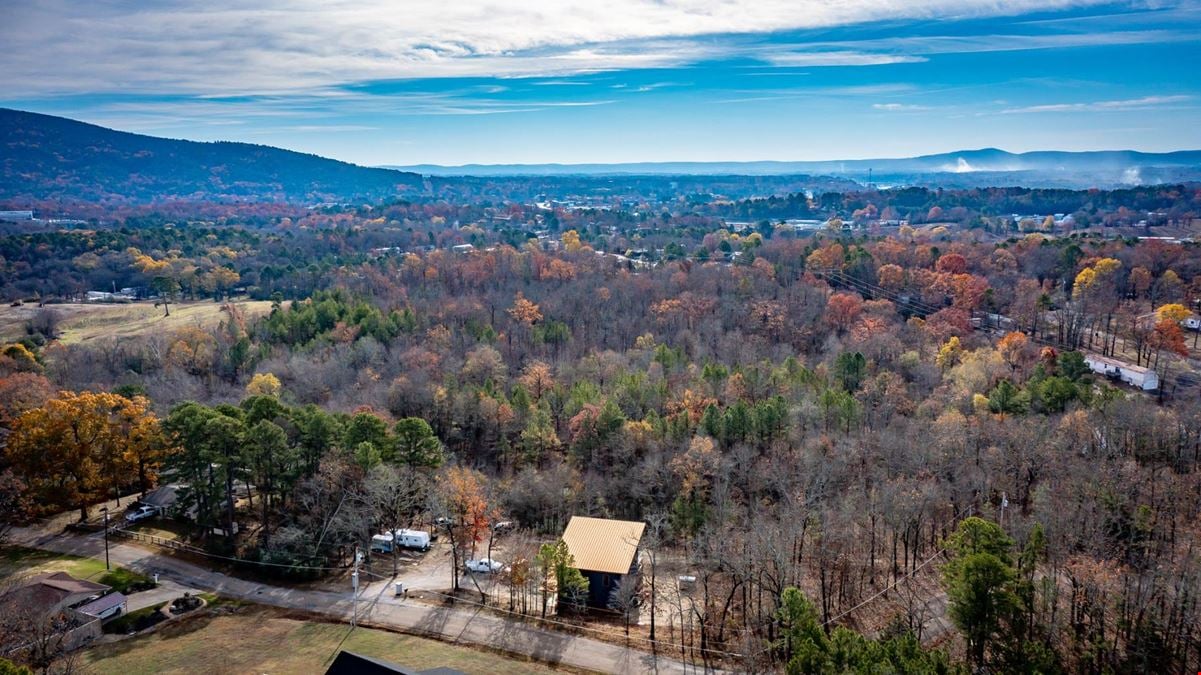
[{"x": 264, "y": 641}]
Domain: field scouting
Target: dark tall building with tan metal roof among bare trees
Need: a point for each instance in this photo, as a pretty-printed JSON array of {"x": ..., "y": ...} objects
[{"x": 606, "y": 552}]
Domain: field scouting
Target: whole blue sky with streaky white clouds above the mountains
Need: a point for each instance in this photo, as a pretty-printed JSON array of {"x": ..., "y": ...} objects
[{"x": 379, "y": 82}]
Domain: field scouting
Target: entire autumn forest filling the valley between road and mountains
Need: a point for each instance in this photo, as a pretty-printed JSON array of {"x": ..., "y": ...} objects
[{"x": 832, "y": 428}]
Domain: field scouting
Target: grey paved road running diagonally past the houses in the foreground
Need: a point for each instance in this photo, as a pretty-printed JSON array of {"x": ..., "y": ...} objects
[{"x": 455, "y": 625}]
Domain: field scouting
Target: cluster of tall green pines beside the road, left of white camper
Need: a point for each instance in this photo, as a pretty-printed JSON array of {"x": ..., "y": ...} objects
[{"x": 284, "y": 457}]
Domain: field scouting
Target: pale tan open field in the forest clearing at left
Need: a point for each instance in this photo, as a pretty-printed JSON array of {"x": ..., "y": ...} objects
[{"x": 85, "y": 322}]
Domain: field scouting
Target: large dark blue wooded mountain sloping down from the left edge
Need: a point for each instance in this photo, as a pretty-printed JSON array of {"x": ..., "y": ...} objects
[{"x": 52, "y": 158}]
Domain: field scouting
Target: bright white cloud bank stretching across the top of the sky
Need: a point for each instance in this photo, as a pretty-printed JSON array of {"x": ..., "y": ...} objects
[{"x": 202, "y": 47}]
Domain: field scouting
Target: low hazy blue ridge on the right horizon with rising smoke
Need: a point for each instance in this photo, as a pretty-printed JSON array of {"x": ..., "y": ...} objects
[{"x": 1109, "y": 166}]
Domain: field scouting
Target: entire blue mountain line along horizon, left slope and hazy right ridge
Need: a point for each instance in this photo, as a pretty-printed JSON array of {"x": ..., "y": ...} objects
[{"x": 46, "y": 159}]
